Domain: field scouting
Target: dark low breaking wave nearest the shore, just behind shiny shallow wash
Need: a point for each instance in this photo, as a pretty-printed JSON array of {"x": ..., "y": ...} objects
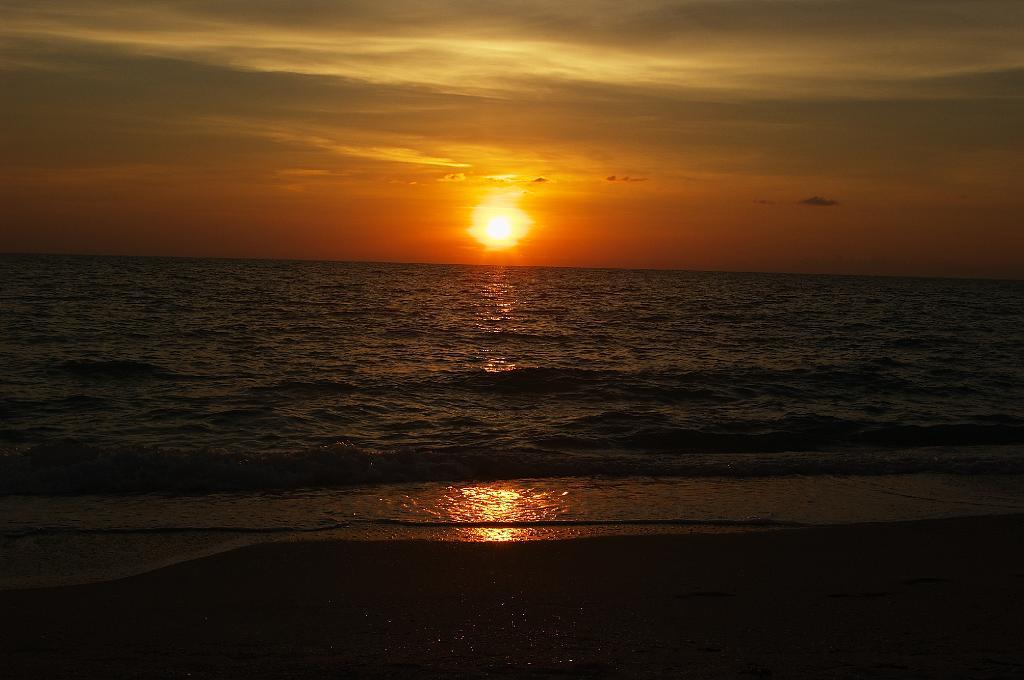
[{"x": 74, "y": 469}]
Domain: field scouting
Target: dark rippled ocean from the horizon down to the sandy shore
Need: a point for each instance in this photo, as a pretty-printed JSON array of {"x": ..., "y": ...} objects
[{"x": 160, "y": 408}]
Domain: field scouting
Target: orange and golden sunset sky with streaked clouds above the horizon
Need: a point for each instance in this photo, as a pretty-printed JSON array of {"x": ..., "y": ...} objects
[{"x": 851, "y": 137}]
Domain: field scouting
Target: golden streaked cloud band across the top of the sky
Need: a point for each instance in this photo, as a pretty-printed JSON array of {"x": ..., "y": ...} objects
[{"x": 745, "y": 48}]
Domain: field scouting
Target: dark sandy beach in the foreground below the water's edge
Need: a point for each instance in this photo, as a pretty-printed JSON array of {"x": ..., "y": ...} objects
[{"x": 940, "y": 600}]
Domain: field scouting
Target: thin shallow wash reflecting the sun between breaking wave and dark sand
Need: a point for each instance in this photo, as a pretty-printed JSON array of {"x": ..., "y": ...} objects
[{"x": 48, "y": 541}]
